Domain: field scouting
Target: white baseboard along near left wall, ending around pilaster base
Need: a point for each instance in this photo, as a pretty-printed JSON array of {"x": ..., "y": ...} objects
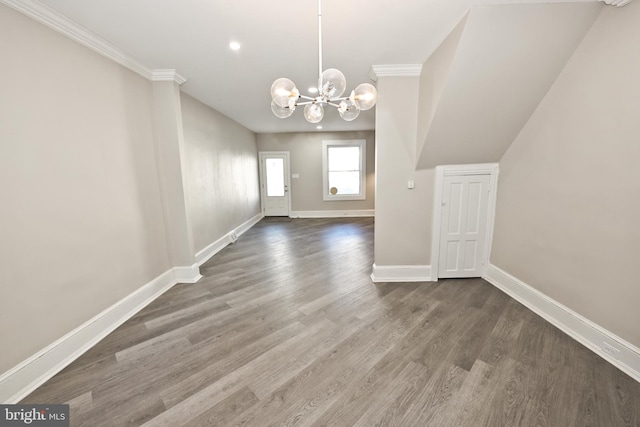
[{"x": 18, "y": 382}]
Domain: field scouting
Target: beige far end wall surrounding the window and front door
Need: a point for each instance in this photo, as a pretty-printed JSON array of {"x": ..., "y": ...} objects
[{"x": 306, "y": 160}]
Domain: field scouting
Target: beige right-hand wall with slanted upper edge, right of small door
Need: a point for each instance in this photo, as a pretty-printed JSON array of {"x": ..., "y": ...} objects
[{"x": 569, "y": 189}]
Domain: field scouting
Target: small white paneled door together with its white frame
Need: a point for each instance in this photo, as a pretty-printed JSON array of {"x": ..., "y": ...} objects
[{"x": 463, "y": 220}]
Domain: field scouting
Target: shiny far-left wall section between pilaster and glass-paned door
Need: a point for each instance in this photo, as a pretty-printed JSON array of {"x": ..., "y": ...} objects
[{"x": 220, "y": 172}]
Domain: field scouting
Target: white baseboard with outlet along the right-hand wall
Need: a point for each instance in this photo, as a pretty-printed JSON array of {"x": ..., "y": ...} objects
[{"x": 586, "y": 332}]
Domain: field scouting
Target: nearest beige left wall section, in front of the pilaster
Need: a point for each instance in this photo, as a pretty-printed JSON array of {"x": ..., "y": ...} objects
[{"x": 81, "y": 217}]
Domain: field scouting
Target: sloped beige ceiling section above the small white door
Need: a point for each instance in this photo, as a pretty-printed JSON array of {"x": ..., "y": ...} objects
[{"x": 483, "y": 83}]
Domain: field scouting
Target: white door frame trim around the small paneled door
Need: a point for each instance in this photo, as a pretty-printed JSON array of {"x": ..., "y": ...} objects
[{"x": 490, "y": 169}]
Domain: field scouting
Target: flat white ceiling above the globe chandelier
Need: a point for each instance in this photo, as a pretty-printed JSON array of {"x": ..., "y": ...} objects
[{"x": 279, "y": 38}]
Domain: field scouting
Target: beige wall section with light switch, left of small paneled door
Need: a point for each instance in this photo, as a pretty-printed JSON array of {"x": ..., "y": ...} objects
[{"x": 403, "y": 216}]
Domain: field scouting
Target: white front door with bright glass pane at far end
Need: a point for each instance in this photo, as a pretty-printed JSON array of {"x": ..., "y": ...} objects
[{"x": 274, "y": 183}]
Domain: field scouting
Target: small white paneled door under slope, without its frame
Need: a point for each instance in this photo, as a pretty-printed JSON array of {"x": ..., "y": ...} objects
[{"x": 463, "y": 233}]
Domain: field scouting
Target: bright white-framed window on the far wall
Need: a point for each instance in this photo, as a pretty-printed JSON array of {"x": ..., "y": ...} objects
[{"x": 344, "y": 170}]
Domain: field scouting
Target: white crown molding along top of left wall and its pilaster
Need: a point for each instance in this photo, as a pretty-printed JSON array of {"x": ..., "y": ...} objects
[{"x": 63, "y": 25}]
